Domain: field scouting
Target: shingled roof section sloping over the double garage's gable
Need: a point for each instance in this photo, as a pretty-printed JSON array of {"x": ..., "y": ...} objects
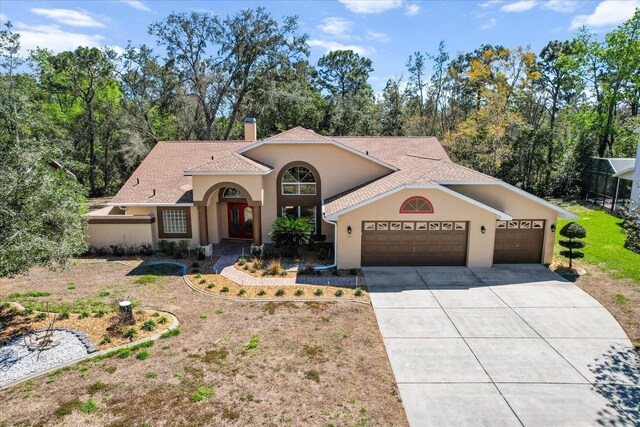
[{"x": 413, "y": 170}]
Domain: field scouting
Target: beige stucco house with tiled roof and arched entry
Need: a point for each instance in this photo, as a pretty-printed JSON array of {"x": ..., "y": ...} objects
[{"x": 380, "y": 200}]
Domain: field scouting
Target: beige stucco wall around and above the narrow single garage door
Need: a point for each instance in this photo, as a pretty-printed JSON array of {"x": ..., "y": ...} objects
[{"x": 516, "y": 205}]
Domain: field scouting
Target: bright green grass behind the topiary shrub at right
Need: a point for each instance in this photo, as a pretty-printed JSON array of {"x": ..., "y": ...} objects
[{"x": 605, "y": 243}]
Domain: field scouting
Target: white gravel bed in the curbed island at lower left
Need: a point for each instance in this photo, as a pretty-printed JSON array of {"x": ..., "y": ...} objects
[{"x": 16, "y": 361}]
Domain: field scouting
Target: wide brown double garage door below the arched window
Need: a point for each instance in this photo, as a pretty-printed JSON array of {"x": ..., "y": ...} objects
[{"x": 414, "y": 243}]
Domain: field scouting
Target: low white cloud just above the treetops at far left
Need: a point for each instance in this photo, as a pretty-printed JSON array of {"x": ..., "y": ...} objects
[{"x": 53, "y": 38}]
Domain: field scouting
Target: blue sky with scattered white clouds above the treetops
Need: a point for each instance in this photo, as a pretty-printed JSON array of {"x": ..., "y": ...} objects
[{"x": 387, "y": 31}]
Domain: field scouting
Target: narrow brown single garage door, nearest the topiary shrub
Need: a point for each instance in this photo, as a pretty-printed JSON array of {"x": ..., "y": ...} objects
[{"x": 519, "y": 241}]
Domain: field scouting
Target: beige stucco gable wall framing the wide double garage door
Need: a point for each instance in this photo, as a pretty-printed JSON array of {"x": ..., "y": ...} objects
[{"x": 446, "y": 208}]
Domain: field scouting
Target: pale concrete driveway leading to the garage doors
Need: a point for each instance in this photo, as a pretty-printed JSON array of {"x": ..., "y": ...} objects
[{"x": 513, "y": 345}]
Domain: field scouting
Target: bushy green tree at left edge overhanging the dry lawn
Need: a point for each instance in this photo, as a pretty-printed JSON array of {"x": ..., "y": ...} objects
[{"x": 42, "y": 207}]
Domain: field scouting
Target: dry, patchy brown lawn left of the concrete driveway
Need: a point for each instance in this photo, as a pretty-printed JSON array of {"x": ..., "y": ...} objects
[{"x": 234, "y": 363}]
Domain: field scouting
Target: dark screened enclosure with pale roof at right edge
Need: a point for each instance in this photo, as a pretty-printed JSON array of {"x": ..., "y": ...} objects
[{"x": 606, "y": 181}]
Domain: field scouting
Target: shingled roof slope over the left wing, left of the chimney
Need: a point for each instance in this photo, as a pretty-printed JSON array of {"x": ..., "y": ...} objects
[{"x": 163, "y": 170}]
